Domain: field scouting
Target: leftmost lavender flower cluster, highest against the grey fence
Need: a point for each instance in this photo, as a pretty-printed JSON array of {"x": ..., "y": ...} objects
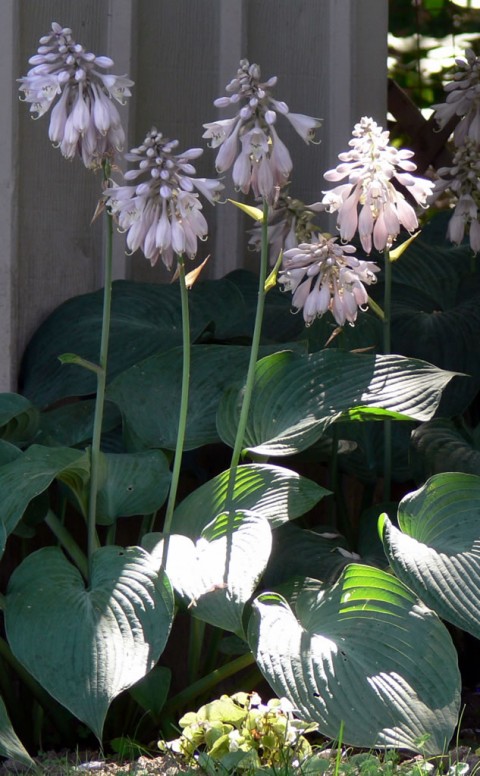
[{"x": 84, "y": 118}]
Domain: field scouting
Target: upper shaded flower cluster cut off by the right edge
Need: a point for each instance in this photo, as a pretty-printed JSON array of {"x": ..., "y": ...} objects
[{"x": 463, "y": 100}]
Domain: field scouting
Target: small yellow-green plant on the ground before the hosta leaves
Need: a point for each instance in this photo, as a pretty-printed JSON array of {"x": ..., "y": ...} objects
[{"x": 240, "y": 732}]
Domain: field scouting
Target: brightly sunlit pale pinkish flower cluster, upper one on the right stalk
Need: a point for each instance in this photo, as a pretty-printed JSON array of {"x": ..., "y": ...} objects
[{"x": 371, "y": 167}]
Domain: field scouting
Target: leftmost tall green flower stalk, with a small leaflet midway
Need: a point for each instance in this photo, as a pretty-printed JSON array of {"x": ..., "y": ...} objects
[{"x": 101, "y": 381}]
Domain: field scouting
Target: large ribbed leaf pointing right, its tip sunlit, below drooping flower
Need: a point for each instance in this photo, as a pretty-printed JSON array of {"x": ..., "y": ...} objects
[{"x": 297, "y": 396}]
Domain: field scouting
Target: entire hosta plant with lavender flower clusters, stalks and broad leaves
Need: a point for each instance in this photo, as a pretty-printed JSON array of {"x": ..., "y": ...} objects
[{"x": 106, "y": 475}]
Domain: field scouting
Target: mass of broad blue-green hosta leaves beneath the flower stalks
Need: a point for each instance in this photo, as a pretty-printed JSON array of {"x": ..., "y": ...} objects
[{"x": 248, "y": 556}]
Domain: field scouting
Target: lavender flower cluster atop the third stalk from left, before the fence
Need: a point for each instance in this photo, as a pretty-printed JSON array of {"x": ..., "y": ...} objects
[{"x": 264, "y": 163}]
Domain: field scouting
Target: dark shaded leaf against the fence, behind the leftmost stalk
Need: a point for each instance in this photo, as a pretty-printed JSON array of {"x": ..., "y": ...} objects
[{"x": 143, "y": 317}]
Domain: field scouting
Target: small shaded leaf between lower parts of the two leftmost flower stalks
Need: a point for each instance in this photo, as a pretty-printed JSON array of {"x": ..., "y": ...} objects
[{"x": 131, "y": 484}]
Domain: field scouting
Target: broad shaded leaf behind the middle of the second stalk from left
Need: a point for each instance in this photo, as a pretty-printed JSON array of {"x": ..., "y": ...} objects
[{"x": 148, "y": 395}]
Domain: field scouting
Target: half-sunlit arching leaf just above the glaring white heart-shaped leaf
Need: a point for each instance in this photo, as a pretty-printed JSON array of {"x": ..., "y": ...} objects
[{"x": 272, "y": 491}]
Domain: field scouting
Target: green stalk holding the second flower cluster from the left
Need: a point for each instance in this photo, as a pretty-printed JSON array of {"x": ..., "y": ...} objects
[{"x": 182, "y": 420}]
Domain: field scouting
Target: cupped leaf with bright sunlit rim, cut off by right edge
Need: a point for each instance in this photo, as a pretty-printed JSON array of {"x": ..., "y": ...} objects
[{"x": 437, "y": 551}]
